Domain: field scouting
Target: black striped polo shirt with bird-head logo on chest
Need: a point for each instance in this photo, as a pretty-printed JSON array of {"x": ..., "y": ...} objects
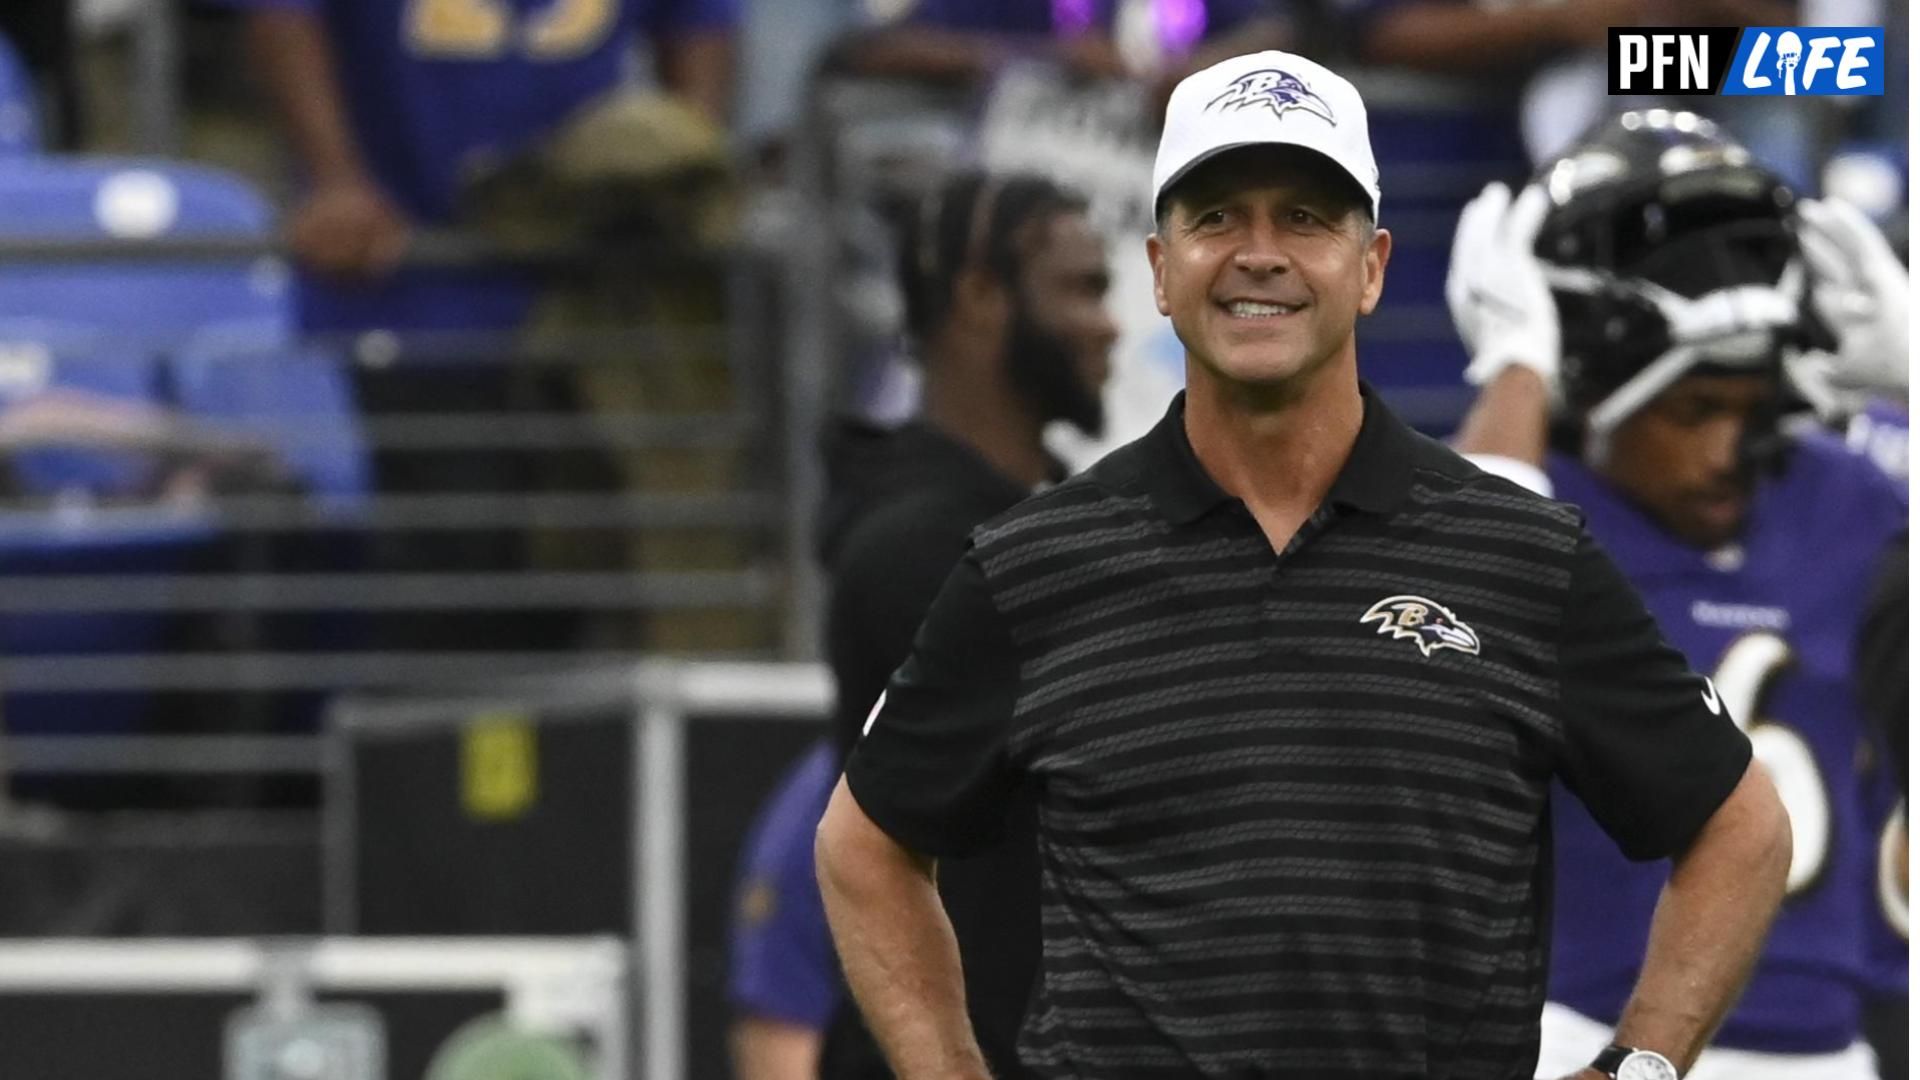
[{"x": 1293, "y": 806}]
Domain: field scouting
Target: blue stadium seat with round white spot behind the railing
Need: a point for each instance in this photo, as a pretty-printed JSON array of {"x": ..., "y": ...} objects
[{"x": 212, "y": 339}]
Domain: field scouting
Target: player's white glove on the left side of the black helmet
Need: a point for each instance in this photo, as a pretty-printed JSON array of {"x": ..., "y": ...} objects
[{"x": 1497, "y": 291}]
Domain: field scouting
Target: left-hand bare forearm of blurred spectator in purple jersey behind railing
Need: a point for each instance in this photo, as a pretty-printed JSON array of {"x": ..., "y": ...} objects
[{"x": 295, "y": 61}]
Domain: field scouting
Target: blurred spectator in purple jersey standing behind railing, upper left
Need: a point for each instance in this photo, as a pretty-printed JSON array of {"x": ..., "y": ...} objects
[{"x": 398, "y": 114}]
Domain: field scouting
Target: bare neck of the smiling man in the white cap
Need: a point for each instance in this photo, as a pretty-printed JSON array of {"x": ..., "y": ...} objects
[{"x": 1276, "y": 453}]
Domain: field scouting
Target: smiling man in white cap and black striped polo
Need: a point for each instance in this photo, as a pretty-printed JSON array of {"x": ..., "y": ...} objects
[{"x": 1291, "y": 683}]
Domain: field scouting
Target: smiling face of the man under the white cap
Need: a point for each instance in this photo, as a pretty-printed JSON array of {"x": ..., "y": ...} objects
[{"x": 1264, "y": 260}]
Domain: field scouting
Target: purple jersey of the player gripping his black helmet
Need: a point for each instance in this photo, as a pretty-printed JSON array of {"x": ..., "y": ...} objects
[{"x": 1773, "y": 622}]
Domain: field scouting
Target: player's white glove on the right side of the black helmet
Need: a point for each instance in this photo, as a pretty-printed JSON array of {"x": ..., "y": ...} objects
[{"x": 1860, "y": 287}]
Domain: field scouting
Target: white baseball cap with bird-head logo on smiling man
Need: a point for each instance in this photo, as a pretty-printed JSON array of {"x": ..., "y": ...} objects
[{"x": 1266, "y": 99}]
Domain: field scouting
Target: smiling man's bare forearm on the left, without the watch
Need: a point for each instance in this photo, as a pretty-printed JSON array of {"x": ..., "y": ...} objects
[{"x": 896, "y": 946}]
